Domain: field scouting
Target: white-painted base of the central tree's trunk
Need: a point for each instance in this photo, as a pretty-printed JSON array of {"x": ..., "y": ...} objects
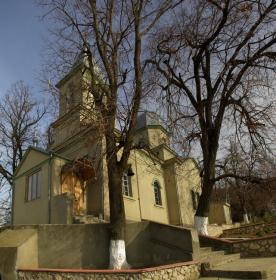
[{"x": 117, "y": 255}]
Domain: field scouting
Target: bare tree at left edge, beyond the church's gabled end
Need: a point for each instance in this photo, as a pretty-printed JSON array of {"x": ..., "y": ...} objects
[{"x": 19, "y": 116}]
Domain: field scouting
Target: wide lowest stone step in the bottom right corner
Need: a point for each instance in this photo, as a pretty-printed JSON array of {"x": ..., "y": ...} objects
[{"x": 253, "y": 268}]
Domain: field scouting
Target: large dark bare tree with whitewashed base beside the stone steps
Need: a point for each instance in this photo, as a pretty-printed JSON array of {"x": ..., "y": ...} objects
[{"x": 215, "y": 62}]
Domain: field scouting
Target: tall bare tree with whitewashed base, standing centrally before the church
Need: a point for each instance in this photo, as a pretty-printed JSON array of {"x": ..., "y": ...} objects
[{"x": 112, "y": 36}]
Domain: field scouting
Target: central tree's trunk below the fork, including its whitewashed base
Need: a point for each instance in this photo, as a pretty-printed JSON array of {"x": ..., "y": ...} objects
[{"x": 117, "y": 251}]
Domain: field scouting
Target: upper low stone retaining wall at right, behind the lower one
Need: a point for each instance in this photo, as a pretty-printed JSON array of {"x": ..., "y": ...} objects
[{"x": 249, "y": 229}]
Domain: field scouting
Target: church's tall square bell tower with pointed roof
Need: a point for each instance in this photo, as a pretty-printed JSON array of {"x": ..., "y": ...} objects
[{"x": 75, "y": 105}]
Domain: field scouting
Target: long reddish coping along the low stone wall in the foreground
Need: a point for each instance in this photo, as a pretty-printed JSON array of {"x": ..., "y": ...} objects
[{"x": 108, "y": 271}]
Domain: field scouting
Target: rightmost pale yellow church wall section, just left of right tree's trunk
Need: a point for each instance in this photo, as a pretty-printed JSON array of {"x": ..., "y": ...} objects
[{"x": 187, "y": 176}]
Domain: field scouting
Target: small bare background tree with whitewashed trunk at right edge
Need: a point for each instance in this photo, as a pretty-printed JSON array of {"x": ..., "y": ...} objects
[{"x": 247, "y": 168}]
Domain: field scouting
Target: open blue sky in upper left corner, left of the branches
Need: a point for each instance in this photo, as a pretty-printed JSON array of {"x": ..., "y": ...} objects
[{"x": 21, "y": 43}]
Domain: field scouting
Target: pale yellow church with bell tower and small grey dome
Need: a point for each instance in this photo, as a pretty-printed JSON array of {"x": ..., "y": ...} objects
[{"x": 67, "y": 183}]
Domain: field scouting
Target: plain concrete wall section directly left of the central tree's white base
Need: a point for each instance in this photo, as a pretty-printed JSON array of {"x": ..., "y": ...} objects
[{"x": 73, "y": 246}]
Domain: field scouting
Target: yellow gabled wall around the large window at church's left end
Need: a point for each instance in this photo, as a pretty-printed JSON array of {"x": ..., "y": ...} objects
[{"x": 34, "y": 211}]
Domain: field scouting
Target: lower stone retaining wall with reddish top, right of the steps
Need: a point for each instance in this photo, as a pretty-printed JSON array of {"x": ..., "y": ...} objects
[{"x": 257, "y": 247}]
